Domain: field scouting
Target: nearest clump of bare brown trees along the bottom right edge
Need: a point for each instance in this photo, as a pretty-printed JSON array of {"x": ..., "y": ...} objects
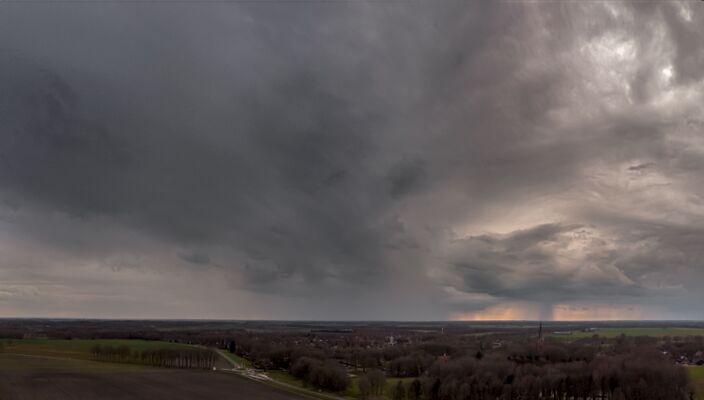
[{"x": 642, "y": 374}]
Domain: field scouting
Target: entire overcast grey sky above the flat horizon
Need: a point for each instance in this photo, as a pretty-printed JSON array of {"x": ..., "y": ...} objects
[{"x": 352, "y": 160}]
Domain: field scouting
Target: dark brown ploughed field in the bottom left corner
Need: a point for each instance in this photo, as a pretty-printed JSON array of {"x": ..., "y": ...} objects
[{"x": 42, "y": 378}]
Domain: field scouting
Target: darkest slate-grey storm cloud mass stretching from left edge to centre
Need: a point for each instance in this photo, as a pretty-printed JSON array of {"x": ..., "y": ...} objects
[{"x": 287, "y": 177}]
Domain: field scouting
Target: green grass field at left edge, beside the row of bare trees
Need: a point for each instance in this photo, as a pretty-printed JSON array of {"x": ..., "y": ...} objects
[{"x": 76, "y": 349}]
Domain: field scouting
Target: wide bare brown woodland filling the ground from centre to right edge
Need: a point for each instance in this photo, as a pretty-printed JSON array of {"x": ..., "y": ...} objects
[{"x": 469, "y": 368}]
